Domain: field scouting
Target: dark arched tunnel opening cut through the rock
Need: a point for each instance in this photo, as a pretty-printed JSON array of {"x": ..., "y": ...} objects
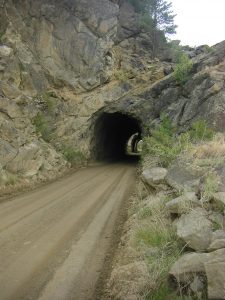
[{"x": 112, "y": 132}]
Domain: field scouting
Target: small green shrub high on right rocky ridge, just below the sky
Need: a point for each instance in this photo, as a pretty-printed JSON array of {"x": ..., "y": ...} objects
[{"x": 183, "y": 69}]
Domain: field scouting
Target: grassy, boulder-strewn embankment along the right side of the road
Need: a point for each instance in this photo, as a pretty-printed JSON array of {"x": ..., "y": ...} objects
[{"x": 173, "y": 244}]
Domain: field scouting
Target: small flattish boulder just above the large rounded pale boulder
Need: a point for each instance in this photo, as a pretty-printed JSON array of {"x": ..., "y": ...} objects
[{"x": 183, "y": 204}]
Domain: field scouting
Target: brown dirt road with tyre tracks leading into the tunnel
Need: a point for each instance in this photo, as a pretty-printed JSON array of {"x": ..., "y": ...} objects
[{"x": 53, "y": 240}]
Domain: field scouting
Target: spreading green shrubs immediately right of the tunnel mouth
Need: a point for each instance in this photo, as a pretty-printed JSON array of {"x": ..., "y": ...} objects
[{"x": 165, "y": 144}]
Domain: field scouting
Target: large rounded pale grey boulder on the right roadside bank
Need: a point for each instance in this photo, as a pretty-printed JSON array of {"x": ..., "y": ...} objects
[{"x": 195, "y": 229}]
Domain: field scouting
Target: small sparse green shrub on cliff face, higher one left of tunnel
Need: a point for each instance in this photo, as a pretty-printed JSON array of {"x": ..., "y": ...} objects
[{"x": 42, "y": 126}]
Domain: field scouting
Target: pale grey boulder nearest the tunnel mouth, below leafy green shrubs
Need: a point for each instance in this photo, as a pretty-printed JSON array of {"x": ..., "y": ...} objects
[{"x": 155, "y": 177}]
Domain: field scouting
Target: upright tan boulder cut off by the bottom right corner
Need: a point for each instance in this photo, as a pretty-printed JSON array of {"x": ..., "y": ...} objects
[{"x": 215, "y": 273}]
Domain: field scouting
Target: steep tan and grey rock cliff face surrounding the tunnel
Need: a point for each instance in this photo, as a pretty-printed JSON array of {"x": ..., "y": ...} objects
[{"x": 64, "y": 63}]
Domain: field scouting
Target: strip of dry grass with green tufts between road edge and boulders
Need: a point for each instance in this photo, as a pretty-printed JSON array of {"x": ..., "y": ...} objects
[{"x": 155, "y": 237}]
